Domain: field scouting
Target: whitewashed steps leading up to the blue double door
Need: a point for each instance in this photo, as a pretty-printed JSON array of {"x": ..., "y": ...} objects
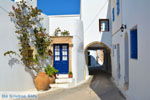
[{"x": 62, "y": 81}]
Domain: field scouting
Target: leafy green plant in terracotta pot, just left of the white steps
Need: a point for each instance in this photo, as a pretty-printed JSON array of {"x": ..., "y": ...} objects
[{"x": 51, "y": 72}]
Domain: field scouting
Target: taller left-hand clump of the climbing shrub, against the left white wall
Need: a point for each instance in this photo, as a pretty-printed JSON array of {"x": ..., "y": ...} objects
[{"x": 22, "y": 16}]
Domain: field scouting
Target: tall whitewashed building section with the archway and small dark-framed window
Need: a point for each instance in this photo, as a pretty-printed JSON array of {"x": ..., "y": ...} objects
[{"x": 95, "y": 15}]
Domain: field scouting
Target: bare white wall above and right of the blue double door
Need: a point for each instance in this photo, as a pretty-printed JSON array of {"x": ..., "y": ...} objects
[{"x": 72, "y": 24}]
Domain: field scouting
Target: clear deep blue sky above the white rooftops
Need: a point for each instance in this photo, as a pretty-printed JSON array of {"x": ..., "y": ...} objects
[{"x": 59, "y": 7}]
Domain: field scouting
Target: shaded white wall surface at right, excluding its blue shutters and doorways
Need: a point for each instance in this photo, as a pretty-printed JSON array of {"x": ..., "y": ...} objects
[{"x": 135, "y": 12}]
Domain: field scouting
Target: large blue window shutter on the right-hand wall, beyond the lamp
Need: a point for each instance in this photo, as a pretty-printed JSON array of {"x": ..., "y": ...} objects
[{"x": 134, "y": 43}]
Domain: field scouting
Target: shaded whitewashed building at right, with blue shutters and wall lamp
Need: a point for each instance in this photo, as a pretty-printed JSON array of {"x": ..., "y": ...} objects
[{"x": 130, "y": 53}]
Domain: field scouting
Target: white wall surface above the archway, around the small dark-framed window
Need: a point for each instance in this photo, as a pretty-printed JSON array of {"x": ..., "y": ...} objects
[{"x": 91, "y": 12}]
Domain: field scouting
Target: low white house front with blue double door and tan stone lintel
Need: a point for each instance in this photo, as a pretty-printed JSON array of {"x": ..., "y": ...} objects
[{"x": 75, "y": 53}]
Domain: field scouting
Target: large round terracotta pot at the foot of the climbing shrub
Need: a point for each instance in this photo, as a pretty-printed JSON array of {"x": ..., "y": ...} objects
[{"x": 42, "y": 81}]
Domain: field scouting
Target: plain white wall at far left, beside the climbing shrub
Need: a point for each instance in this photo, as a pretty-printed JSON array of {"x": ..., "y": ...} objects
[{"x": 13, "y": 78}]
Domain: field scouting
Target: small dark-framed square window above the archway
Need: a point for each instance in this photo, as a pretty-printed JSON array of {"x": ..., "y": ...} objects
[{"x": 104, "y": 25}]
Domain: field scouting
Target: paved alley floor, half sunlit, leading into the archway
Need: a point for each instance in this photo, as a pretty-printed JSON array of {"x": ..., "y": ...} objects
[{"x": 99, "y": 87}]
